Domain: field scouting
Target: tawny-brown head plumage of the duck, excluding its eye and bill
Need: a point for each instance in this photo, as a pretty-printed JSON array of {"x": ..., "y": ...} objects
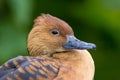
[{"x": 42, "y": 41}]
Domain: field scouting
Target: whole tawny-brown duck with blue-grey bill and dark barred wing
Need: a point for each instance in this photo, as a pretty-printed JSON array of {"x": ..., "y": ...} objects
[{"x": 55, "y": 54}]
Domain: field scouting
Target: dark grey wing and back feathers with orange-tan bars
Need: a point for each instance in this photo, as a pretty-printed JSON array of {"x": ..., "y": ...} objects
[{"x": 28, "y": 68}]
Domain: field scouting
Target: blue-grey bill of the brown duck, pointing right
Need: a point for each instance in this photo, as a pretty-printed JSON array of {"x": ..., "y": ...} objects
[{"x": 74, "y": 43}]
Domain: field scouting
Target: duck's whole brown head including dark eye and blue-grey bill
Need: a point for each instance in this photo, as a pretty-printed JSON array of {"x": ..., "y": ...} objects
[{"x": 51, "y": 35}]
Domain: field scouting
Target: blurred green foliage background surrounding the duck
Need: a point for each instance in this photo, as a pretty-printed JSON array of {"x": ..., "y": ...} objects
[{"x": 96, "y": 21}]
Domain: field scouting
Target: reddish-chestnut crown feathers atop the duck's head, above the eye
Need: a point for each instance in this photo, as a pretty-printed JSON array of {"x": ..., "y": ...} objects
[{"x": 53, "y": 22}]
